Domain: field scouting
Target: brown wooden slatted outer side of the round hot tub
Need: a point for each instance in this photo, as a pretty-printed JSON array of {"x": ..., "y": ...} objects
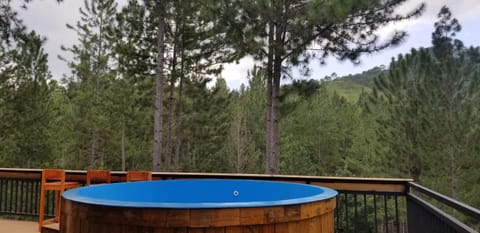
[{"x": 261, "y": 220}]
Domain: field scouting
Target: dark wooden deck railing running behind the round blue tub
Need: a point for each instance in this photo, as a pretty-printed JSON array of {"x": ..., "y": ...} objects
[{"x": 363, "y": 204}]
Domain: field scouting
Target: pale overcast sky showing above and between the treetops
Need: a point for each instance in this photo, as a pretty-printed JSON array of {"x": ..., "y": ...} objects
[{"x": 49, "y": 18}]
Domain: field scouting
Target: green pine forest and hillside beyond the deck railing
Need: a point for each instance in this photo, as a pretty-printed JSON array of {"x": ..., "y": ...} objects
[{"x": 418, "y": 118}]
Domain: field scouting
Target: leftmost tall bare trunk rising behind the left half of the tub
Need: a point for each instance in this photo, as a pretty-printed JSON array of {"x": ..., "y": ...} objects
[{"x": 158, "y": 124}]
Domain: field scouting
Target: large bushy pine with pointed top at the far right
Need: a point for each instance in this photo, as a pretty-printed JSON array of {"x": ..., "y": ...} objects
[{"x": 430, "y": 95}]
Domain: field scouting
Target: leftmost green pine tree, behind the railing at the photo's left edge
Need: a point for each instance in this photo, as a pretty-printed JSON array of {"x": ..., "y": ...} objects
[{"x": 24, "y": 103}]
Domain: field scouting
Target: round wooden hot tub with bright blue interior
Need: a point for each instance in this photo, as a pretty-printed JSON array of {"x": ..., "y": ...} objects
[{"x": 199, "y": 206}]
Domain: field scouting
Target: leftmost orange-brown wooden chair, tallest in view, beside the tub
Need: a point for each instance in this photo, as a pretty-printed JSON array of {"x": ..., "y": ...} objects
[{"x": 53, "y": 179}]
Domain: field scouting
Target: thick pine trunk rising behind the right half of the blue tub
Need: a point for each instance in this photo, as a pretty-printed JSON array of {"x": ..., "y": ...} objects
[{"x": 269, "y": 73}]
